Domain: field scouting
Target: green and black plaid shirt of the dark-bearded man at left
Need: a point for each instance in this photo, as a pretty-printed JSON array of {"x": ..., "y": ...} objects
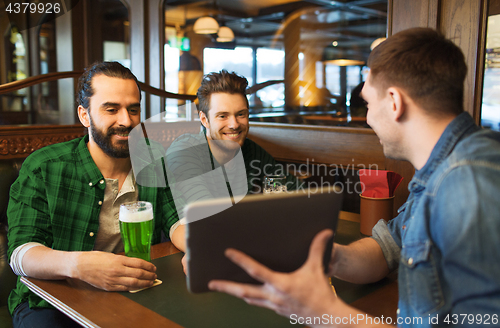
[{"x": 56, "y": 201}]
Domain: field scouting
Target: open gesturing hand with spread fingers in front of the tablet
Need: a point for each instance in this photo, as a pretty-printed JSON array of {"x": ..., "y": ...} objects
[{"x": 304, "y": 292}]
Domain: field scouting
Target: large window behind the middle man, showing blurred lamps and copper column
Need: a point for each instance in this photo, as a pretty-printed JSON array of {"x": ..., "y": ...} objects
[{"x": 311, "y": 54}]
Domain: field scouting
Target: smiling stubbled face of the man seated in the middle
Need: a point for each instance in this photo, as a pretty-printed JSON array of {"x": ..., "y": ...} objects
[{"x": 227, "y": 118}]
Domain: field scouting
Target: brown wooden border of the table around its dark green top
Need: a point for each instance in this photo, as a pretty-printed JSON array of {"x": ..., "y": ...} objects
[{"x": 92, "y": 307}]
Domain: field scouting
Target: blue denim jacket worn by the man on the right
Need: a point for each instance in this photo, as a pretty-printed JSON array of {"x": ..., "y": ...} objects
[{"x": 446, "y": 239}]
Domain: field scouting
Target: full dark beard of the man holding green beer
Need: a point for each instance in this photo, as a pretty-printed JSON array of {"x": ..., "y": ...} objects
[{"x": 103, "y": 140}]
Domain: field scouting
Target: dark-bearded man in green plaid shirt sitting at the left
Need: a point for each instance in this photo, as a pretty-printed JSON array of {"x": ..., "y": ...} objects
[{"x": 63, "y": 208}]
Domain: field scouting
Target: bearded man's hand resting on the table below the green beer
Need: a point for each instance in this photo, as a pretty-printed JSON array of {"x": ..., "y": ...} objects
[{"x": 113, "y": 272}]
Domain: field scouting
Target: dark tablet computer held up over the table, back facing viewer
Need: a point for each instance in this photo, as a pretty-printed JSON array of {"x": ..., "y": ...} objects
[{"x": 276, "y": 230}]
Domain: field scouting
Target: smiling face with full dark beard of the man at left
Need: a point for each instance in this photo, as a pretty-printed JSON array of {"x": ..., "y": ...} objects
[{"x": 114, "y": 111}]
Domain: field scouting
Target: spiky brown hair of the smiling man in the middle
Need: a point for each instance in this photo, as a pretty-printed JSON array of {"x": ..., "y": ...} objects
[{"x": 222, "y": 81}]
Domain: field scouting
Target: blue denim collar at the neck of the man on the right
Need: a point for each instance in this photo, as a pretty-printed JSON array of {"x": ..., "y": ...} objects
[{"x": 462, "y": 126}]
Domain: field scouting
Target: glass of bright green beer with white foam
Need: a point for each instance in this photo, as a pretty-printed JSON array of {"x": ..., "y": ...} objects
[{"x": 136, "y": 227}]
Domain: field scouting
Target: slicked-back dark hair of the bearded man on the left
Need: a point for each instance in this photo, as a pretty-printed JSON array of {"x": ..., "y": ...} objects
[{"x": 110, "y": 69}]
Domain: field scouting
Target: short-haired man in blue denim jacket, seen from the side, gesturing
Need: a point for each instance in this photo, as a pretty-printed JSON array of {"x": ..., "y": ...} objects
[{"x": 445, "y": 240}]
